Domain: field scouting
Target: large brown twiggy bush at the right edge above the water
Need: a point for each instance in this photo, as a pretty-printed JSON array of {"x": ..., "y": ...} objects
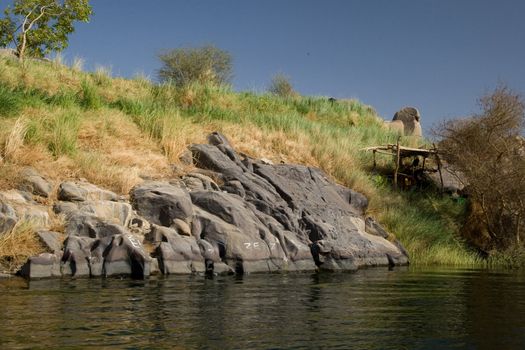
[{"x": 489, "y": 150}]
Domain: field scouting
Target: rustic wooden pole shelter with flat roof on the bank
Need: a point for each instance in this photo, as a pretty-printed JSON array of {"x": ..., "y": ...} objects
[{"x": 400, "y": 152}]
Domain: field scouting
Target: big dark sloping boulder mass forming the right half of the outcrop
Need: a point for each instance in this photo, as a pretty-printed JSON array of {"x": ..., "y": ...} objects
[{"x": 284, "y": 211}]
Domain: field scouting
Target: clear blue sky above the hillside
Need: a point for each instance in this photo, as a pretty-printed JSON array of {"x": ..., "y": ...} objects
[{"x": 439, "y": 56}]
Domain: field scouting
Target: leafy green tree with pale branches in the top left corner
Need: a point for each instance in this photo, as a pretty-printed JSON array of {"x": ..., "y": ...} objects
[{"x": 37, "y": 27}]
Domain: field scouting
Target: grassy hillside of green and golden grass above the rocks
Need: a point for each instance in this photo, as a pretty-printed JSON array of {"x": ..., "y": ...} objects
[{"x": 115, "y": 132}]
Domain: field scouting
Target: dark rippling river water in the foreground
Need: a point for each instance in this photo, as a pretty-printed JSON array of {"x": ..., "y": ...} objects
[{"x": 405, "y": 308}]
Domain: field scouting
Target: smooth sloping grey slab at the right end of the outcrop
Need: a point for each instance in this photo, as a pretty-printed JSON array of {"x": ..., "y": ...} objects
[{"x": 333, "y": 224}]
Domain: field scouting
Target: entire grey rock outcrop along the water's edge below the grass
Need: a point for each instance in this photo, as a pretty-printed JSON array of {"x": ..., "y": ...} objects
[{"x": 233, "y": 214}]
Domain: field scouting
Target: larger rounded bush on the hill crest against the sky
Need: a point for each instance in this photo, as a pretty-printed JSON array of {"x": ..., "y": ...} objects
[{"x": 207, "y": 64}]
